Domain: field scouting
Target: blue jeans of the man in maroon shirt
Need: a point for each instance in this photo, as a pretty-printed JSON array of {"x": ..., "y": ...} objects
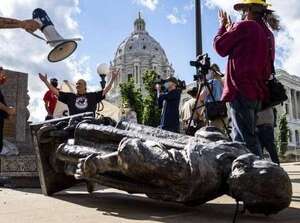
[{"x": 244, "y": 117}]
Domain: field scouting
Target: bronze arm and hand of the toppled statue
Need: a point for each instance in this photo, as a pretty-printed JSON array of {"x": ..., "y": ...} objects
[{"x": 145, "y": 161}]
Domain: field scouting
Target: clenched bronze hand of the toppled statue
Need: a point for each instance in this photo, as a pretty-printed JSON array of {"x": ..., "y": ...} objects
[{"x": 86, "y": 167}]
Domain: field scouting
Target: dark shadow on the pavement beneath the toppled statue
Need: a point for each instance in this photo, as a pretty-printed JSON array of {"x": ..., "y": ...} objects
[{"x": 141, "y": 208}]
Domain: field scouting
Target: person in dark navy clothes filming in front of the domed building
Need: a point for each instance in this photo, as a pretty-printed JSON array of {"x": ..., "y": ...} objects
[{"x": 169, "y": 103}]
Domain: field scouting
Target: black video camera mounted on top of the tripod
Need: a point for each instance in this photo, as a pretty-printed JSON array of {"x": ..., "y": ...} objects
[{"x": 202, "y": 65}]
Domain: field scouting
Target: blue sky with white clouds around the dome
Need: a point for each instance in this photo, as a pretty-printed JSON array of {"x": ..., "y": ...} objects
[{"x": 105, "y": 23}]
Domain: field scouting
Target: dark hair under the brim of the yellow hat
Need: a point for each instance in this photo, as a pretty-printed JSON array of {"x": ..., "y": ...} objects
[{"x": 269, "y": 17}]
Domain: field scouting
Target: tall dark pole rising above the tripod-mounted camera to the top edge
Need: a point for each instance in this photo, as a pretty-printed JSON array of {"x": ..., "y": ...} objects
[{"x": 199, "y": 48}]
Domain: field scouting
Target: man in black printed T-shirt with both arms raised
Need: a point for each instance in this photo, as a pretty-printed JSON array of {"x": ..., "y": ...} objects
[{"x": 81, "y": 101}]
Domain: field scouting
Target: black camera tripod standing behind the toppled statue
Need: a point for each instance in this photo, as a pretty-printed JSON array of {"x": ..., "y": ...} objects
[{"x": 202, "y": 83}]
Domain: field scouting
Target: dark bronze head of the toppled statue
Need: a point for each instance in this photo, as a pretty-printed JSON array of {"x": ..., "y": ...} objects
[{"x": 262, "y": 185}]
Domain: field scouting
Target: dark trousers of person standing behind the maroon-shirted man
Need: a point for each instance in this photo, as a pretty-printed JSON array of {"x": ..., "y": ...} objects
[{"x": 267, "y": 141}]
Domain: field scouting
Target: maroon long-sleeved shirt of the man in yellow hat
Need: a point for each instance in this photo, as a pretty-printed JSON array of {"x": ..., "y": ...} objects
[{"x": 250, "y": 47}]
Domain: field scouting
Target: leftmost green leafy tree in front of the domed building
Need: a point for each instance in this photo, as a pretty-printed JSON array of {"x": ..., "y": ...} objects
[{"x": 132, "y": 97}]
